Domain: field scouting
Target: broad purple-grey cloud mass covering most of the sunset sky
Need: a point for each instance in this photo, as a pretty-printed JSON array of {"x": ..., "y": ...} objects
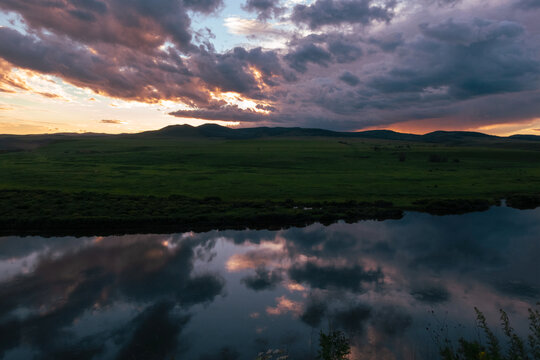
[{"x": 461, "y": 69}]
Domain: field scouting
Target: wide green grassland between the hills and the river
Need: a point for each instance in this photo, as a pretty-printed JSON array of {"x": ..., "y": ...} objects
[{"x": 196, "y": 180}]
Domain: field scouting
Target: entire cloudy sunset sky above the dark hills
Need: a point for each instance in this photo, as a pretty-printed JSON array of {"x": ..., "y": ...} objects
[{"x": 117, "y": 66}]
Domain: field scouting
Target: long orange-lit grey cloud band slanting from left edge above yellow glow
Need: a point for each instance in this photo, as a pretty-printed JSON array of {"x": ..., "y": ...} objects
[{"x": 138, "y": 76}]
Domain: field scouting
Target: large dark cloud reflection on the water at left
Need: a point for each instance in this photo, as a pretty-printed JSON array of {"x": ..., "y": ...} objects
[{"x": 141, "y": 271}]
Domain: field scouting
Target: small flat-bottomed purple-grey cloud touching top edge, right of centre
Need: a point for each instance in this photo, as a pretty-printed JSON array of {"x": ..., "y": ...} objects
[{"x": 337, "y": 12}]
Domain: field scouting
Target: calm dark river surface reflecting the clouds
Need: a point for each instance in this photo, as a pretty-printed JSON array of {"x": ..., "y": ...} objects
[{"x": 392, "y": 286}]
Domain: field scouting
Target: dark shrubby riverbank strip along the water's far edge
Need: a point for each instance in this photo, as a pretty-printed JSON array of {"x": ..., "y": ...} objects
[{"x": 55, "y": 213}]
